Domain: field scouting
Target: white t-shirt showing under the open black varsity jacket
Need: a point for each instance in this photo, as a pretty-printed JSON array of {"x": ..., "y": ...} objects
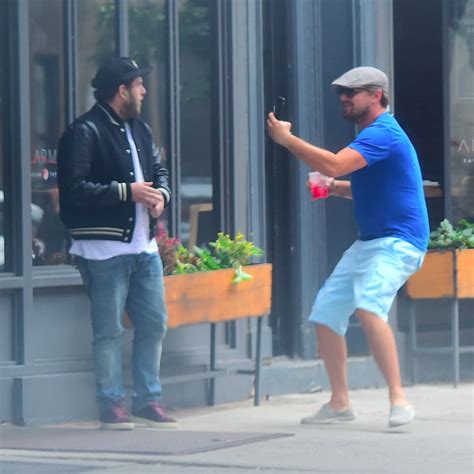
[{"x": 104, "y": 249}]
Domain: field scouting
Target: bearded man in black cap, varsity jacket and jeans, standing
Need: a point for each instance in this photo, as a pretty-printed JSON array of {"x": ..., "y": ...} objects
[{"x": 112, "y": 189}]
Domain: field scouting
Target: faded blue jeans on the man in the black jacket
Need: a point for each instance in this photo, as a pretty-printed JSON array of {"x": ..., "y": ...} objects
[{"x": 135, "y": 283}]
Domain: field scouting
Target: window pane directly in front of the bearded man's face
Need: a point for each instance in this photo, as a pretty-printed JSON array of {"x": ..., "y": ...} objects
[{"x": 148, "y": 47}]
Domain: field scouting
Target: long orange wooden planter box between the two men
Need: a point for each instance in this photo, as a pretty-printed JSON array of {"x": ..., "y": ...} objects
[{"x": 202, "y": 297}]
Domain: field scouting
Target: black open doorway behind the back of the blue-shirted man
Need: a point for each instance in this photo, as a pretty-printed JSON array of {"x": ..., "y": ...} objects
[{"x": 419, "y": 90}]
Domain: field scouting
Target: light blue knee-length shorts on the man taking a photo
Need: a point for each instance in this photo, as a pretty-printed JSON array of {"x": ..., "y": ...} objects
[{"x": 367, "y": 277}]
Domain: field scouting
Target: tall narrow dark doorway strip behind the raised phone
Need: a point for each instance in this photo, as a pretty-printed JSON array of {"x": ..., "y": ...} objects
[{"x": 277, "y": 169}]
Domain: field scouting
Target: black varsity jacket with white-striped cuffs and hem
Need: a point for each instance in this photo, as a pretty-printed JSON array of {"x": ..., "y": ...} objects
[{"x": 95, "y": 170}]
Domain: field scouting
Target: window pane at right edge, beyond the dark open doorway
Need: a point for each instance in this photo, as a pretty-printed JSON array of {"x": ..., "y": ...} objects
[{"x": 461, "y": 22}]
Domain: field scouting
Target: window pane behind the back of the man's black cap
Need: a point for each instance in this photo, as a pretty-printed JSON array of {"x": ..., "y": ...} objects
[{"x": 96, "y": 42}]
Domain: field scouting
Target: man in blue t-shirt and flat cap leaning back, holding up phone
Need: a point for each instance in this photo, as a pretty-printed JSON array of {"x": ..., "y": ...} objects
[{"x": 390, "y": 209}]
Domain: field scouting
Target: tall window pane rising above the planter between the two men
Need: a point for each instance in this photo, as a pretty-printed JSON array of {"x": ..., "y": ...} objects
[{"x": 196, "y": 52}]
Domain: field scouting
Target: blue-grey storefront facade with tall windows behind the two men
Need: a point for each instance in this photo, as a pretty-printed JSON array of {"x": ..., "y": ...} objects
[{"x": 217, "y": 67}]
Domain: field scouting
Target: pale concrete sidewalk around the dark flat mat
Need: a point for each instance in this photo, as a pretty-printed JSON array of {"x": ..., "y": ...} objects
[{"x": 440, "y": 440}]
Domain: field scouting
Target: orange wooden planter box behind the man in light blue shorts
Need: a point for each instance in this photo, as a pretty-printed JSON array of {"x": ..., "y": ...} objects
[{"x": 436, "y": 278}]
